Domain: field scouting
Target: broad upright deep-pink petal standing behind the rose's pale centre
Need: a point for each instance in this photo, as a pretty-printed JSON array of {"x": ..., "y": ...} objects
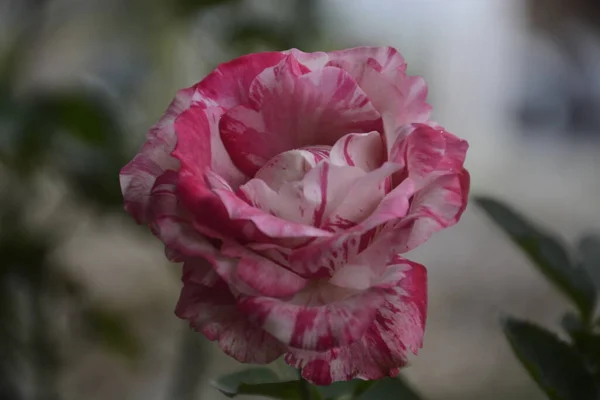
[{"x": 294, "y": 110}]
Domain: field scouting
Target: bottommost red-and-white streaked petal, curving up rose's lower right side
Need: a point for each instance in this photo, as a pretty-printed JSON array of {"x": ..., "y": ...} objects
[{"x": 396, "y": 331}]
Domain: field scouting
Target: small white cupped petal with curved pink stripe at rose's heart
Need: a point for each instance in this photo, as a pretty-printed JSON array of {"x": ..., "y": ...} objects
[{"x": 363, "y": 150}]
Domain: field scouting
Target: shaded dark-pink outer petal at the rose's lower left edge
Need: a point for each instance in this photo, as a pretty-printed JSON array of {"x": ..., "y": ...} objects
[{"x": 208, "y": 303}]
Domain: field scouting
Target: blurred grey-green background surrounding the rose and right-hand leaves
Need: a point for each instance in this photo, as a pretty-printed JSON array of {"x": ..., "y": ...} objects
[{"x": 87, "y": 298}]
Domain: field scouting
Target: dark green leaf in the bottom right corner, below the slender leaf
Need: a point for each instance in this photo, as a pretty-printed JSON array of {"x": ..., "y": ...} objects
[{"x": 553, "y": 364}]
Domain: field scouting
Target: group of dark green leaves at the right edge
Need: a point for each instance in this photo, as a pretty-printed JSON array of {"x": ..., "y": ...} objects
[{"x": 564, "y": 370}]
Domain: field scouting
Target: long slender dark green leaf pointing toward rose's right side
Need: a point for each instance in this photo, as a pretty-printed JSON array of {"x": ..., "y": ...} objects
[{"x": 546, "y": 252}]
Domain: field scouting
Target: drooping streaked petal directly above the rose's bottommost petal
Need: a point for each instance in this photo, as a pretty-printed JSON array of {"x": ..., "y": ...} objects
[{"x": 319, "y": 327}]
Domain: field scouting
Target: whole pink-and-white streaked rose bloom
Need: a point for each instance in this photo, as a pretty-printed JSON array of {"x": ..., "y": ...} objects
[{"x": 288, "y": 184}]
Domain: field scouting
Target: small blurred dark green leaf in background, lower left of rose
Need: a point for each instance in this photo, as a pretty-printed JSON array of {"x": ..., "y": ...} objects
[{"x": 111, "y": 330}]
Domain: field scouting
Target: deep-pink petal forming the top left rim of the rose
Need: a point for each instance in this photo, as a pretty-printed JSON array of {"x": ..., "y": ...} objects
[{"x": 228, "y": 85}]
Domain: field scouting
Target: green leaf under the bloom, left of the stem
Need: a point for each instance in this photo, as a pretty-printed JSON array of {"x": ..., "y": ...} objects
[{"x": 257, "y": 381}]
